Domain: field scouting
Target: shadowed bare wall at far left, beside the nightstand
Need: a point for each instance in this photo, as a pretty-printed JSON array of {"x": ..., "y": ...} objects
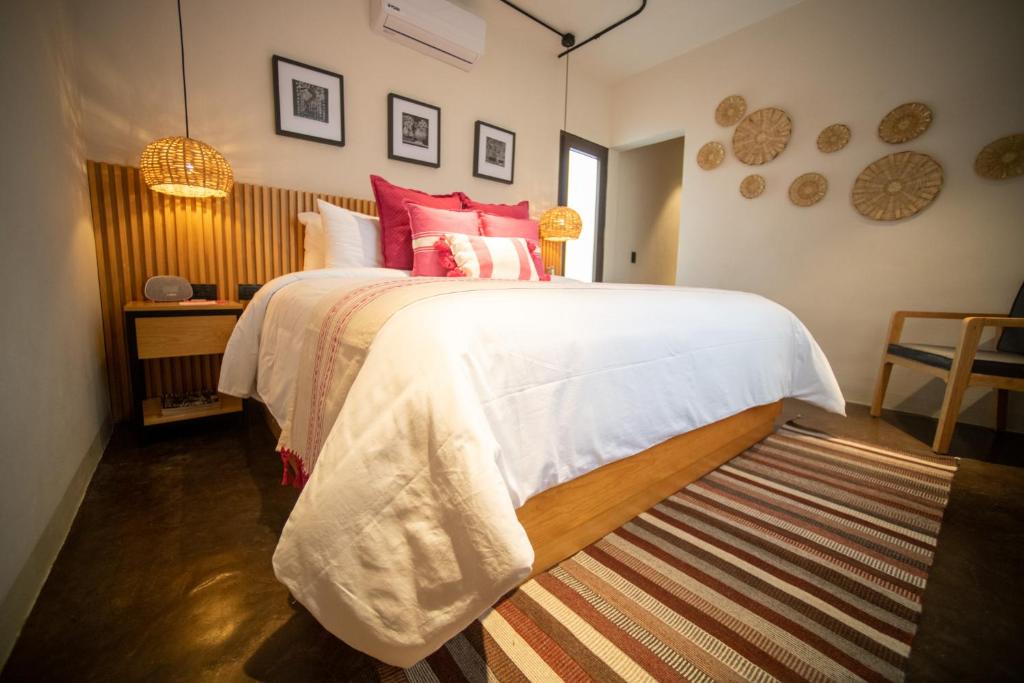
[{"x": 55, "y": 411}]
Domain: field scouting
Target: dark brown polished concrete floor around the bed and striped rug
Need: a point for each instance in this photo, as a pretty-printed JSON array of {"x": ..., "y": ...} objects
[{"x": 166, "y": 575}]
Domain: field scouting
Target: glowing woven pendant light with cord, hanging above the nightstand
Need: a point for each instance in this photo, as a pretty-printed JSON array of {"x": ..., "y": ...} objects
[{"x": 184, "y": 166}]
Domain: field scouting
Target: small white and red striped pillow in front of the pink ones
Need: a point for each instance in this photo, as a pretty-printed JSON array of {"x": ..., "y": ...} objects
[{"x": 496, "y": 259}]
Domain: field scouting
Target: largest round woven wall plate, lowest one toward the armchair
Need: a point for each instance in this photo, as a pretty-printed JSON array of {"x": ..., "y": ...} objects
[{"x": 898, "y": 186}]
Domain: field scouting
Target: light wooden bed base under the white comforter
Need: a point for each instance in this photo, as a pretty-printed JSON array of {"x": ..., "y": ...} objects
[{"x": 564, "y": 521}]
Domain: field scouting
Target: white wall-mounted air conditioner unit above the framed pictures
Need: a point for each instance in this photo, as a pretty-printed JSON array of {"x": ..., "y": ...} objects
[{"x": 437, "y": 28}]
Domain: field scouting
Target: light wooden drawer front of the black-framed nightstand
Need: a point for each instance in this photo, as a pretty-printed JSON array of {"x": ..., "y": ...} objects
[{"x": 163, "y": 337}]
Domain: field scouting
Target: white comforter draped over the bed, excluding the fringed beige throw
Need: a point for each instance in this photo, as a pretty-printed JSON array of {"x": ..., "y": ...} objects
[{"x": 468, "y": 405}]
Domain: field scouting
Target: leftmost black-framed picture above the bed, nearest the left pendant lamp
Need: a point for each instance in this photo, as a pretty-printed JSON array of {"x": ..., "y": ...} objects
[{"x": 309, "y": 103}]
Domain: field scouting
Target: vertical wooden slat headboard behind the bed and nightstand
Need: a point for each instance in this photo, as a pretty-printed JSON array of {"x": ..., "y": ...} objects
[{"x": 251, "y": 237}]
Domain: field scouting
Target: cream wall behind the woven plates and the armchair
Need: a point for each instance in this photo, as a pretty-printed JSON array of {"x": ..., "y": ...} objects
[{"x": 835, "y": 61}]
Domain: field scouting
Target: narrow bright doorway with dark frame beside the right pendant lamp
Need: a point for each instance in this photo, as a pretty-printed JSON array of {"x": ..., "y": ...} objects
[{"x": 583, "y": 180}]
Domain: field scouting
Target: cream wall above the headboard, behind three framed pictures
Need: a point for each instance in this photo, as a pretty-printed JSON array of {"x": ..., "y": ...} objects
[{"x": 132, "y": 81}]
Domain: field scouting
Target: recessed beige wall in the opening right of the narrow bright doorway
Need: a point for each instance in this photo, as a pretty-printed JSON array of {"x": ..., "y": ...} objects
[{"x": 644, "y": 215}]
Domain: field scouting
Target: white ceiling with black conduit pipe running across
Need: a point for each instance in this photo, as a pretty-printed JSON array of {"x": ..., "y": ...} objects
[{"x": 666, "y": 28}]
